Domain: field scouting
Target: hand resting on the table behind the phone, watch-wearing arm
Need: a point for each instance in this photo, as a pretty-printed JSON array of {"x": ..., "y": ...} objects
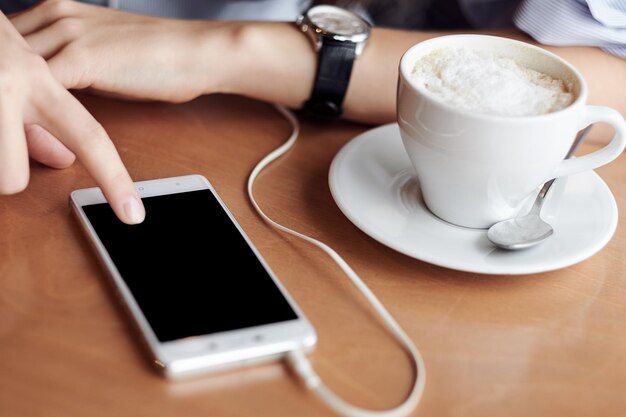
[{"x": 126, "y": 54}]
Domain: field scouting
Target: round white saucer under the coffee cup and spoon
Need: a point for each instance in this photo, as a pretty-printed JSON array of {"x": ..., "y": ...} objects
[{"x": 373, "y": 183}]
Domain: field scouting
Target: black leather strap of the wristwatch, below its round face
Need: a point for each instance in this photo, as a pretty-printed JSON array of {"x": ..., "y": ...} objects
[{"x": 331, "y": 81}]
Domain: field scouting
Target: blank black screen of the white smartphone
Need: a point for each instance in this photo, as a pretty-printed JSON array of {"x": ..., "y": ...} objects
[{"x": 176, "y": 264}]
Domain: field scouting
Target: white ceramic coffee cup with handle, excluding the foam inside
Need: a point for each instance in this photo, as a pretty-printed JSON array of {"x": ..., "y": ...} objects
[{"x": 477, "y": 169}]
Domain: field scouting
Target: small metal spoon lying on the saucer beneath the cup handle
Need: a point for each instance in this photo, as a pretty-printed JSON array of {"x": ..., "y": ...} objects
[{"x": 525, "y": 231}]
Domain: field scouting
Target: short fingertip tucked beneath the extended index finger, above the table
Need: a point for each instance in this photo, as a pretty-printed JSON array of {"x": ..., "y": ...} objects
[{"x": 43, "y": 147}]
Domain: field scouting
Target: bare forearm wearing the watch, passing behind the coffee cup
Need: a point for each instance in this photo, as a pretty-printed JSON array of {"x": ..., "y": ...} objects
[{"x": 275, "y": 62}]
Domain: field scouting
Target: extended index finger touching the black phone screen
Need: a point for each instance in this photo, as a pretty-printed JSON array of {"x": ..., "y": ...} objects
[{"x": 69, "y": 121}]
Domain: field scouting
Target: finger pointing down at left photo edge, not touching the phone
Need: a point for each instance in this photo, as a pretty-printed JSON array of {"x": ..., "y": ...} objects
[{"x": 14, "y": 169}]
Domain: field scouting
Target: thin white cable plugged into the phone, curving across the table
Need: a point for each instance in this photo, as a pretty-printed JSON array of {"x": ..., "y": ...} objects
[{"x": 297, "y": 358}]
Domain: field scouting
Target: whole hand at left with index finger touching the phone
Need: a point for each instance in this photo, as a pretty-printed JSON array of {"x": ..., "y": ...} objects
[{"x": 40, "y": 118}]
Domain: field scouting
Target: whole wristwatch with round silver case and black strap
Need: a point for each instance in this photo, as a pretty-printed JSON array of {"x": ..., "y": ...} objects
[{"x": 339, "y": 36}]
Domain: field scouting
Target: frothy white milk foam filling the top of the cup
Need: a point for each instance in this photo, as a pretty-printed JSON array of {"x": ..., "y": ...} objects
[{"x": 484, "y": 82}]
